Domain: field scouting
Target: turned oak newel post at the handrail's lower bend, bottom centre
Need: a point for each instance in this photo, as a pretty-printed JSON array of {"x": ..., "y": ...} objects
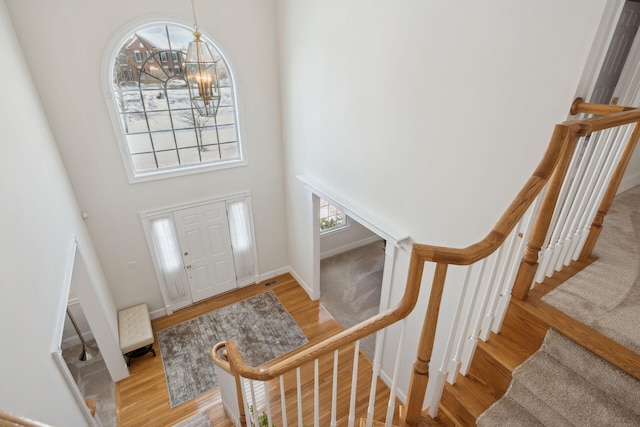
[{"x": 420, "y": 374}]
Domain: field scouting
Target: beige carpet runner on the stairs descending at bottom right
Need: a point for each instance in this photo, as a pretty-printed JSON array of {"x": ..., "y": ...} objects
[{"x": 564, "y": 384}]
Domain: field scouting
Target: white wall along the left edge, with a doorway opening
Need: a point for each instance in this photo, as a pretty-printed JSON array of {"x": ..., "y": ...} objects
[{"x": 39, "y": 221}]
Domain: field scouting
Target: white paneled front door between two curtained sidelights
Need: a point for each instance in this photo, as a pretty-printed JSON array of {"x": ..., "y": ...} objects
[{"x": 203, "y": 233}]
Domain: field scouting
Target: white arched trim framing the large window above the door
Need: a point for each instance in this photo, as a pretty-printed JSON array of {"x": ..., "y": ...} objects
[{"x": 115, "y": 43}]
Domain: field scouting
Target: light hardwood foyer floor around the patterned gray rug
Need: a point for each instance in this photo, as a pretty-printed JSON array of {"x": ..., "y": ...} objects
[{"x": 142, "y": 399}]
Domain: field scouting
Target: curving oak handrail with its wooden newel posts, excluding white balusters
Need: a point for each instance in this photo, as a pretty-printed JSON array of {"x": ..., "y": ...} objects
[{"x": 549, "y": 175}]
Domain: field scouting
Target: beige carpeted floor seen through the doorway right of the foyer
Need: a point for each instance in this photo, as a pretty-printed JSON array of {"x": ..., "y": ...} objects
[{"x": 350, "y": 285}]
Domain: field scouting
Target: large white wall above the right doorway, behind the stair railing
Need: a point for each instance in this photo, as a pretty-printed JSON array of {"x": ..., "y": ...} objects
[{"x": 427, "y": 116}]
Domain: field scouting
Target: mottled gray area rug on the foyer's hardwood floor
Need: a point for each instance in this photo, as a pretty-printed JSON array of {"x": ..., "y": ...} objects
[{"x": 261, "y": 326}]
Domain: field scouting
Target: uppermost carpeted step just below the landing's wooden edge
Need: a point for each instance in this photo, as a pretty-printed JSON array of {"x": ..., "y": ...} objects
[{"x": 615, "y": 383}]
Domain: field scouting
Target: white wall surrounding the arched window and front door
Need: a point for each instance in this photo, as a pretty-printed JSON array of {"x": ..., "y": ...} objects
[{"x": 64, "y": 42}]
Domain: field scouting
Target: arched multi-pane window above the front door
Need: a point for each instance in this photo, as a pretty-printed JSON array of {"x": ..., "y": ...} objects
[{"x": 162, "y": 132}]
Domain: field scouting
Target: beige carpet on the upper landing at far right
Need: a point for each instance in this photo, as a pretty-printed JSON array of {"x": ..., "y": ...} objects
[{"x": 606, "y": 294}]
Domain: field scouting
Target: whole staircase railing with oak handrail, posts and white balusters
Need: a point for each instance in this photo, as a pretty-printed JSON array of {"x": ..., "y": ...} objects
[{"x": 483, "y": 275}]
